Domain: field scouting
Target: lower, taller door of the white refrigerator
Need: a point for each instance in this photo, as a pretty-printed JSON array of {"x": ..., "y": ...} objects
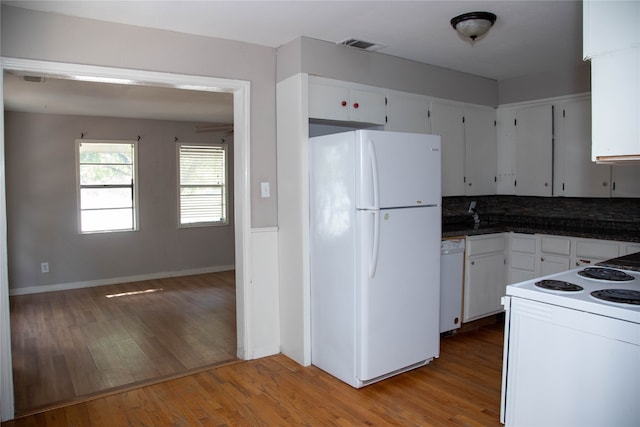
[{"x": 397, "y": 315}]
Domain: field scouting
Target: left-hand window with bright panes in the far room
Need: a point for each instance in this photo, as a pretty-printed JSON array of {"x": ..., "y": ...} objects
[{"x": 106, "y": 185}]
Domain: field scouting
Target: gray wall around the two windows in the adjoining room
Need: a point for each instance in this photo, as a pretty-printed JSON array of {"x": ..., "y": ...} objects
[{"x": 42, "y": 216}]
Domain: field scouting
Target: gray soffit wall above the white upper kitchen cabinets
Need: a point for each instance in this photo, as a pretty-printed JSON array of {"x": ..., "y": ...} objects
[{"x": 326, "y": 59}]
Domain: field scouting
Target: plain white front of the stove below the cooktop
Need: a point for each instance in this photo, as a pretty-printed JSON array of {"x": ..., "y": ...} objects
[{"x": 568, "y": 367}]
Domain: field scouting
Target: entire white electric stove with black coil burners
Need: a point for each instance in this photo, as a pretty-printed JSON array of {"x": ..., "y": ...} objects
[{"x": 571, "y": 358}]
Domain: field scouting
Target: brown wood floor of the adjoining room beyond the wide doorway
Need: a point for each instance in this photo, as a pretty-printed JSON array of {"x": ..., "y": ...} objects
[{"x": 72, "y": 344}]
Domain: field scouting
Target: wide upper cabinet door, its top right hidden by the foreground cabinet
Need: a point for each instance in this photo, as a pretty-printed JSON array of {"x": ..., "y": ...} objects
[{"x": 575, "y": 174}]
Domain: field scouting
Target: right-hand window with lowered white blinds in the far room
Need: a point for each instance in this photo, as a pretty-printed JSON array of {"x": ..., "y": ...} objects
[{"x": 202, "y": 184}]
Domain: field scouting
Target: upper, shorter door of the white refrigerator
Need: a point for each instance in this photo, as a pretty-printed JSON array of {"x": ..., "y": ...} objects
[{"x": 397, "y": 169}]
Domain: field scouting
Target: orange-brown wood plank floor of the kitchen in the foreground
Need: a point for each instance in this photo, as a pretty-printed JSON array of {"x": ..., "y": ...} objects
[{"x": 461, "y": 388}]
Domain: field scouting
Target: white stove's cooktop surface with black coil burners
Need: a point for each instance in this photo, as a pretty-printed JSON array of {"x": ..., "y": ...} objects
[{"x": 583, "y": 298}]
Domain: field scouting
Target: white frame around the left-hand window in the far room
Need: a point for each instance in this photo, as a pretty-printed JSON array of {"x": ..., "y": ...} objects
[{"x": 134, "y": 185}]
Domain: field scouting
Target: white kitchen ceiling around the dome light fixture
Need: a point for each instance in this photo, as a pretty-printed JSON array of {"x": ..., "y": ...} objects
[{"x": 529, "y": 36}]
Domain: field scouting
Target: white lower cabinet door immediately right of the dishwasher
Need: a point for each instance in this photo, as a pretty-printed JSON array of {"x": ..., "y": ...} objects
[{"x": 484, "y": 281}]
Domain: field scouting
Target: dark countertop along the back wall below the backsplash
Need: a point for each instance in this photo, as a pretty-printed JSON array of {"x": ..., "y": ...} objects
[{"x": 604, "y": 230}]
